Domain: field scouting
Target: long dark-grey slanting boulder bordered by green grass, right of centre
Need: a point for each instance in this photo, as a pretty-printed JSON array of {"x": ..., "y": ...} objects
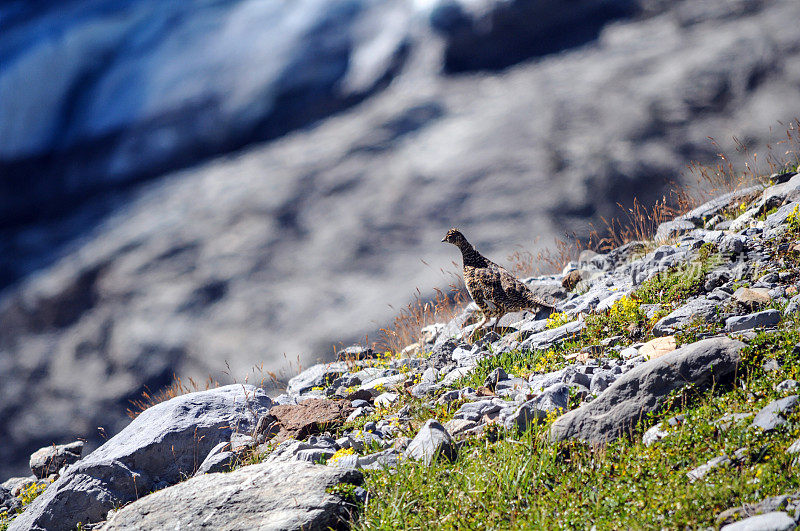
[{"x": 643, "y": 389}]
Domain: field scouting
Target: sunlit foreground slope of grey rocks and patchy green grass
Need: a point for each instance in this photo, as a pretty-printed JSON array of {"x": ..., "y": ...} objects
[{"x": 701, "y": 321}]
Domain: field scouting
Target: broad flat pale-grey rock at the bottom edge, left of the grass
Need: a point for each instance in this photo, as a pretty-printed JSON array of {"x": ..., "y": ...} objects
[{"x": 271, "y": 495}]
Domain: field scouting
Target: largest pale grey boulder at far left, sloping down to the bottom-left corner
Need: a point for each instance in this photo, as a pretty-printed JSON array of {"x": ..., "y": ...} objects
[{"x": 163, "y": 445}]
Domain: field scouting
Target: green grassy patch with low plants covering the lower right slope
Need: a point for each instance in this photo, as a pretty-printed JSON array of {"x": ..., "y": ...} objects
[{"x": 526, "y": 482}]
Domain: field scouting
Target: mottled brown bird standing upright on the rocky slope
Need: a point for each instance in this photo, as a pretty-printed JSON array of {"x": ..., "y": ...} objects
[{"x": 493, "y": 288}]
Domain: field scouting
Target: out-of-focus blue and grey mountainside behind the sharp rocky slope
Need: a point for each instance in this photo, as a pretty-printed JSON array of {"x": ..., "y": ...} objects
[{"x": 189, "y": 184}]
